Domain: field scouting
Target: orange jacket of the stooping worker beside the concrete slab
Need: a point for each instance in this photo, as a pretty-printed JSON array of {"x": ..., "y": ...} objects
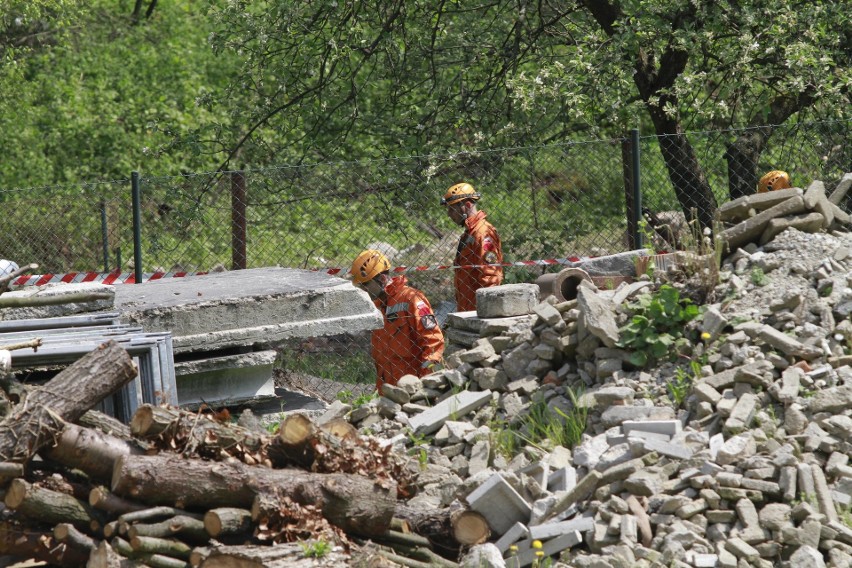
[{"x": 410, "y": 340}]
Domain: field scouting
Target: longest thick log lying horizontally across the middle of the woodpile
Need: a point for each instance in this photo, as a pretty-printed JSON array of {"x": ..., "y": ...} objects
[{"x": 351, "y": 502}]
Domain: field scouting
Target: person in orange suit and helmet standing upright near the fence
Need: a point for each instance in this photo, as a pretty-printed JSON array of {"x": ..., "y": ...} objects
[{"x": 479, "y": 246}]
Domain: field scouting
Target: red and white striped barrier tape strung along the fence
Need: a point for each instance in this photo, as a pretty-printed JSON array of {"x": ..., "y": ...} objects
[{"x": 130, "y": 277}]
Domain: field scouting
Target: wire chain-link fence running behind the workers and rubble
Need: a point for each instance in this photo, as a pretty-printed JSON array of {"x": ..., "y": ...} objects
[{"x": 548, "y": 203}]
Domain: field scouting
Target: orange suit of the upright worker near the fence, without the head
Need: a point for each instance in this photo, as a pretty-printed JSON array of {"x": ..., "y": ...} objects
[{"x": 478, "y": 245}]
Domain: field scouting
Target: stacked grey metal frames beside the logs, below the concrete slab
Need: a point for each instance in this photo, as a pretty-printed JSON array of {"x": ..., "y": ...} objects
[{"x": 66, "y": 339}]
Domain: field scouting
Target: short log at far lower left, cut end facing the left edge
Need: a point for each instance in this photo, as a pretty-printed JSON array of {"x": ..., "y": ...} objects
[{"x": 48, "y": 506}]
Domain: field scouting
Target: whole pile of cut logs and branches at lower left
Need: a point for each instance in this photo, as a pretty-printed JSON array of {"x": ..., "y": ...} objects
[{"x": 176, "y": 489}]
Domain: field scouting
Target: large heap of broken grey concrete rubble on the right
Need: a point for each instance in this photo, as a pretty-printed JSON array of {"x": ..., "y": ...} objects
[{"x": 751, "y": 470}]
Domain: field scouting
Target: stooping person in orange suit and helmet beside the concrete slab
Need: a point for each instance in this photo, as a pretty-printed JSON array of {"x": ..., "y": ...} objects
[{"x": 411, "y": 342}]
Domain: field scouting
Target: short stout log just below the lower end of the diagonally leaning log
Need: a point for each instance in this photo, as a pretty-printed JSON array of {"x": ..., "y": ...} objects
[{"x": 91, "y": 451}]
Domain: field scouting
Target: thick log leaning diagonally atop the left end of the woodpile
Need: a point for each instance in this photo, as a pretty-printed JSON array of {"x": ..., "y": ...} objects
[{"x": 66, "y": 397}]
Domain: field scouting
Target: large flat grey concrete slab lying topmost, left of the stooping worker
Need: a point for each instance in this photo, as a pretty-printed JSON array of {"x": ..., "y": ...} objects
[{"x": 246, "y": 307}]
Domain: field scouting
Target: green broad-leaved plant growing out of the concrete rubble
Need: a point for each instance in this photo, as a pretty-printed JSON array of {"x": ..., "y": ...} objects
[{"x": 656, "y": 329}]
